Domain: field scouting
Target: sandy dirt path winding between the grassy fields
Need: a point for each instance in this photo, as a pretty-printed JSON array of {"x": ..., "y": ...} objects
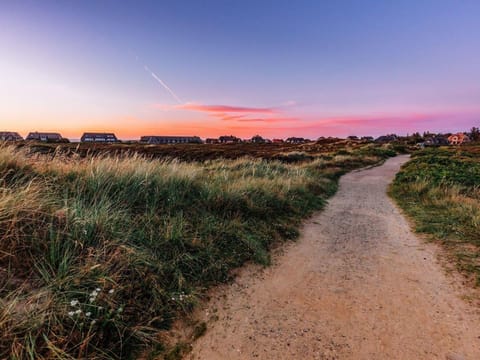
[{"x": 357, "y": 285}]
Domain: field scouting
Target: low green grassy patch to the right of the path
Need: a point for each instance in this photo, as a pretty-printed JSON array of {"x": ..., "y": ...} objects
[{"x": 440, "y": 189}]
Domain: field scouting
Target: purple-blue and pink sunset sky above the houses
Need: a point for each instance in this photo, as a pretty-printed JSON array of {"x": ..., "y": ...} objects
[{"x": 277, "y": 68}]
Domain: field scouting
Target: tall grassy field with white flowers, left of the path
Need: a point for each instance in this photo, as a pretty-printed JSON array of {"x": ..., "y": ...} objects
[{"x": 99, "y": 254}]
